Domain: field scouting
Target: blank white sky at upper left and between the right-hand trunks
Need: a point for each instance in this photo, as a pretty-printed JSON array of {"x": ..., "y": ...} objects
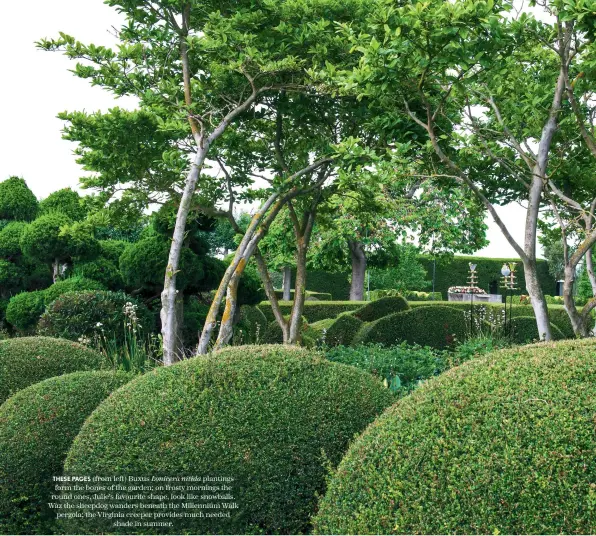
[{"x": 38, "y": 85}]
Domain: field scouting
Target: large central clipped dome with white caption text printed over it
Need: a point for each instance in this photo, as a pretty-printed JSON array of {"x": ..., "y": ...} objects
[{"x": 271, "y": 417}]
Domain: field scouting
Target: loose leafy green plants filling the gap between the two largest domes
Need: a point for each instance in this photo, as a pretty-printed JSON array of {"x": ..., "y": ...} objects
[{"x": 401, "y": 367}]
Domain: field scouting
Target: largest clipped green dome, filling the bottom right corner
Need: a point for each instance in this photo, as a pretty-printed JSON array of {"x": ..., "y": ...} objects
[{"x": 502, "y": 444}]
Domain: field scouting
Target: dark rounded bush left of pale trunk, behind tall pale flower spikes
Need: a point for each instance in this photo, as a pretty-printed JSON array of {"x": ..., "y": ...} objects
[{"x": 87, "y": 314}]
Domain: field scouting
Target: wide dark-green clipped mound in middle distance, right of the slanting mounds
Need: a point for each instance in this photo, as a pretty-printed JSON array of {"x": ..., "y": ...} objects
[{"x": 435, "y": 326}]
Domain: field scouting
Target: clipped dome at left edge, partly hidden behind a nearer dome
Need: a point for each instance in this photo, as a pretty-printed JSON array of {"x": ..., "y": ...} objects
[{"x": 28, "y": 360}]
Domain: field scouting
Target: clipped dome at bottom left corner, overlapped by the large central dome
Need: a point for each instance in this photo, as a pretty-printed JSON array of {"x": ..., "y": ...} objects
[{"x": 37, "y": 427}]
